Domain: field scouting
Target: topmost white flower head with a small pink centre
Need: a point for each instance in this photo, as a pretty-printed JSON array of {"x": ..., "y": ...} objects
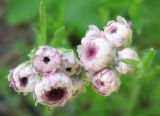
[{"x": 118, "y": 32}]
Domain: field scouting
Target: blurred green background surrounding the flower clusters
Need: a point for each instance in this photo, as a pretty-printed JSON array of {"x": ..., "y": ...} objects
[{"x": 20, "y": 18}]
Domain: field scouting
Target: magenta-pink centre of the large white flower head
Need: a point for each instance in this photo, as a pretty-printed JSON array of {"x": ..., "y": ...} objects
[{"x": 91, "y": 52}]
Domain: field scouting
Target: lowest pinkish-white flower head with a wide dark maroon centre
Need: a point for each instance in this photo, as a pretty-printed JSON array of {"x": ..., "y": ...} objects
[{"x": 54, "y": 90}]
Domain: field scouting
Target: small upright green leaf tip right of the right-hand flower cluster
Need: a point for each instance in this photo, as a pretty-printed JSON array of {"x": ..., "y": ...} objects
[{"x": 147, "y": 59}]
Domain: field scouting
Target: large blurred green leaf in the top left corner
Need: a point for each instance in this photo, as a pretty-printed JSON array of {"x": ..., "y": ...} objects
[{"x": 21, "y": 11}]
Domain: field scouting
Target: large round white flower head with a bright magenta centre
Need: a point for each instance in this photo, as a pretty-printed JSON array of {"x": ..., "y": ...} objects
[{"x": 95, "y": 54}]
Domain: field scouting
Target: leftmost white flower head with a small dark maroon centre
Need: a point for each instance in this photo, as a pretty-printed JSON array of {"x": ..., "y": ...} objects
[{"x": 23, "y": 78}]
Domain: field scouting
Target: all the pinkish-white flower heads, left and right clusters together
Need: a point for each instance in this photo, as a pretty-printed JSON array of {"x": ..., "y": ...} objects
[{"x": 54, "y": 76}]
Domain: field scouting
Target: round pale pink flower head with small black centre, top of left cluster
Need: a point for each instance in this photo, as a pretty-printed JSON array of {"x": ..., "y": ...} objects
[{"x": 46, "y": 59}]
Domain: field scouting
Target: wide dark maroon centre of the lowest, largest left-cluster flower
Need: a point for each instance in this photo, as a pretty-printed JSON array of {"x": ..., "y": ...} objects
[{"x": 56, "y": 94}]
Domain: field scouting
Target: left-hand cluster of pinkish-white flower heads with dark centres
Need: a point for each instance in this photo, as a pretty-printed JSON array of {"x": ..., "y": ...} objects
[{"x": 50, "y": 75}]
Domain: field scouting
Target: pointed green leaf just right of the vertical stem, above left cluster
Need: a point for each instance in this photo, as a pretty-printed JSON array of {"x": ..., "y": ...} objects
[{"x": 60, "y": 39}]
